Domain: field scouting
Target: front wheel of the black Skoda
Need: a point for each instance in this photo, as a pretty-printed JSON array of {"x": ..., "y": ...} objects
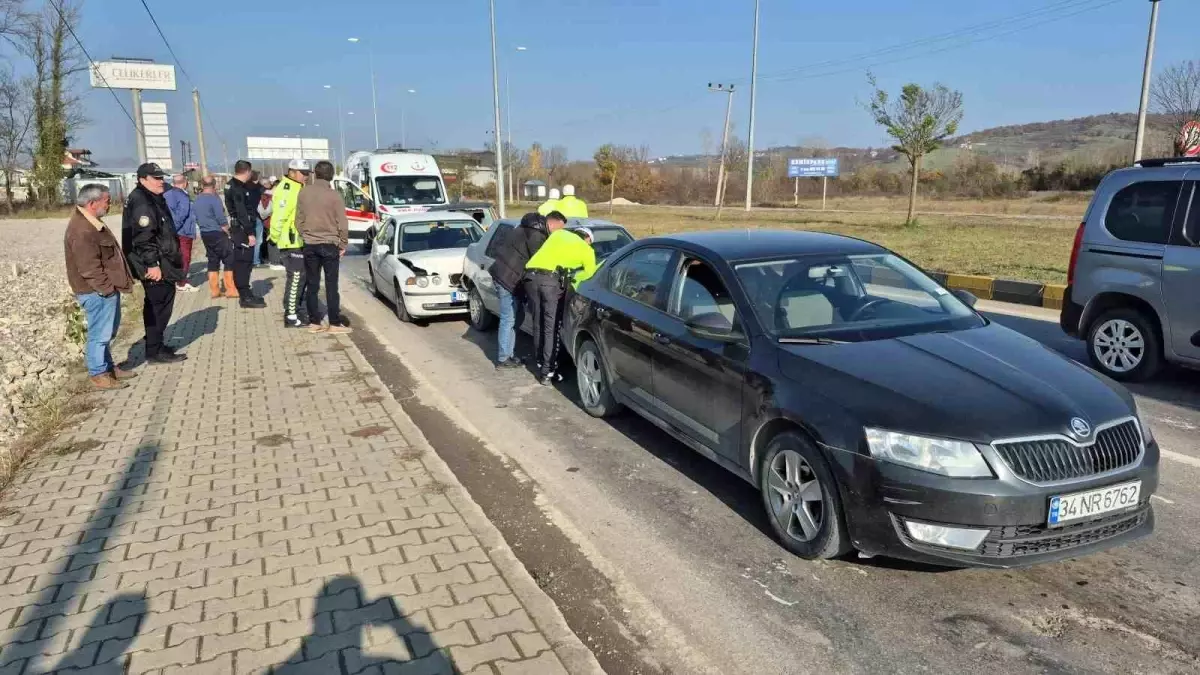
[{"x": 817, "y": 529}]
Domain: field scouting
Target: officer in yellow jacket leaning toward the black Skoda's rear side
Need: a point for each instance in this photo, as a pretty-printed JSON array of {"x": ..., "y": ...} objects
[{"x": 565, "y": 256}]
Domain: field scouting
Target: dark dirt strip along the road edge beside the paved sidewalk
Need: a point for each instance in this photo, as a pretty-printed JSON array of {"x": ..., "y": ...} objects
[{"x": 587, "y": 600}]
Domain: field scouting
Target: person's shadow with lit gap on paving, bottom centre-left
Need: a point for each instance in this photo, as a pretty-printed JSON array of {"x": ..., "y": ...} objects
[{"x": 341, "y": 618}]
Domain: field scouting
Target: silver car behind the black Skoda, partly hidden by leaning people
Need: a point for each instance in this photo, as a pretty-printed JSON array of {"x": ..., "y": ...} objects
[{"x": 483, "y": 303}]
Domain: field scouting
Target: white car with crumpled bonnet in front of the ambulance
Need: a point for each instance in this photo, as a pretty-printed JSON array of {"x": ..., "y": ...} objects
[{"x": 416, "y": 262}]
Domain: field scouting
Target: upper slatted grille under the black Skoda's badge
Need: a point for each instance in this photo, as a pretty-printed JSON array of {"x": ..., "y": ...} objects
[{"x": 1058, "y": 459}]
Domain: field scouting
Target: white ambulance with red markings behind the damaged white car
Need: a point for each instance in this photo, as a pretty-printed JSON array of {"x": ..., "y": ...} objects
[{"x": 377, "y": 186}]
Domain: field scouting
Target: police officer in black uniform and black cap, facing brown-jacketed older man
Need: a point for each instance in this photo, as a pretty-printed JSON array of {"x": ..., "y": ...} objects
[{"x": 152, "y": 248}]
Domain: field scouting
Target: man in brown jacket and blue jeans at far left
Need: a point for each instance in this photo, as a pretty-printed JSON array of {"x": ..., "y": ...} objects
[{"x": 98, "y": 274}]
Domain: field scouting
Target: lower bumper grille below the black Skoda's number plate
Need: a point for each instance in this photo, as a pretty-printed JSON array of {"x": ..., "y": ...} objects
[{"x": 1033, "y": 540}]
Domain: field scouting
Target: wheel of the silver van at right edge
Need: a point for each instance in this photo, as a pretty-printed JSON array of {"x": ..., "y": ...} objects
[{"x": 1124, "y": 344}]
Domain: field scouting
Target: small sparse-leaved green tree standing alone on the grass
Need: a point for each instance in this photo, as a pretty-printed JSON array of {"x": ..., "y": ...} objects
[{"x": 920, "y": 121}]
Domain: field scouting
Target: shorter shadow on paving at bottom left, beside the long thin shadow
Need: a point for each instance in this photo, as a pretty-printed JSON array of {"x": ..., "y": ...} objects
[{"x": 103, "y": 648}]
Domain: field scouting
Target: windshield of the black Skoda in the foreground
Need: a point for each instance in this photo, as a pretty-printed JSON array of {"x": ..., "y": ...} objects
[{"x": 851, "y": 298}]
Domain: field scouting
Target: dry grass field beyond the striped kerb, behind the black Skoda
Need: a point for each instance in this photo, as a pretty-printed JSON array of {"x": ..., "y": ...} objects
[{"x": 1034, "y": 248}]
